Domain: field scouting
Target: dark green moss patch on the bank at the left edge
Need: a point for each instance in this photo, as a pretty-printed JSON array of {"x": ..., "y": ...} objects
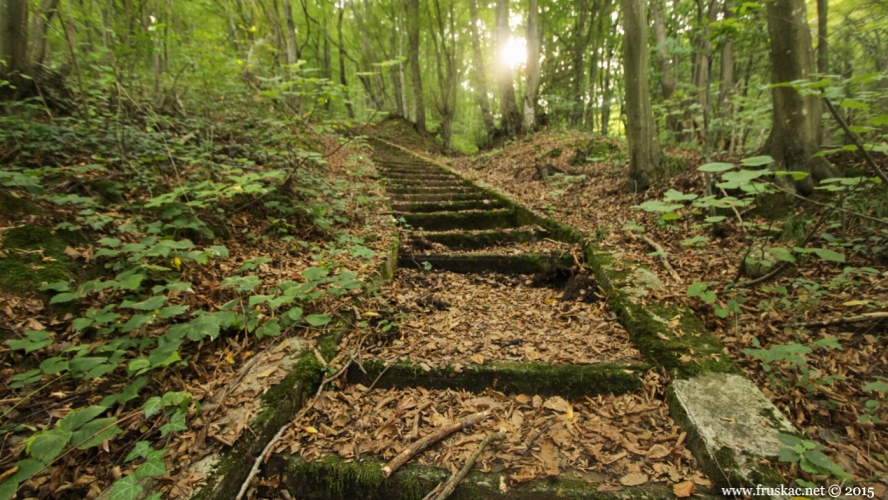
[{"x": 34, "y": 256}]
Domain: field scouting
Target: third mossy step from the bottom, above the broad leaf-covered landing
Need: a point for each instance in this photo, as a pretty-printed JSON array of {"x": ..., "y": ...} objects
[{"x": 529, "y": 263}]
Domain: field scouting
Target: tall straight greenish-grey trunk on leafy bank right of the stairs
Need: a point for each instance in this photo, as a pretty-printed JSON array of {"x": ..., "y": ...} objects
[{"x": 644, "y": 153}]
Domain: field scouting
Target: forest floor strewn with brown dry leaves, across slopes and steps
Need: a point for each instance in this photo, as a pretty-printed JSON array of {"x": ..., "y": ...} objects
[{"x": 442, "y": 321}]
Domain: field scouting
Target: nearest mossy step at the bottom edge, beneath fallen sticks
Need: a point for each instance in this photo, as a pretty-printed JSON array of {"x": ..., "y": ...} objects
[{"x": 332, "y": 478}]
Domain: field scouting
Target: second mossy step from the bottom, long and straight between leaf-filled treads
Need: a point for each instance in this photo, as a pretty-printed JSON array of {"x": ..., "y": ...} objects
[{"x": 568, "y": 381}]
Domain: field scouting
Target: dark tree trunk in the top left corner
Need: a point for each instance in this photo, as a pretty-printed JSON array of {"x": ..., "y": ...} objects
[{"x": 14, "y": 42}]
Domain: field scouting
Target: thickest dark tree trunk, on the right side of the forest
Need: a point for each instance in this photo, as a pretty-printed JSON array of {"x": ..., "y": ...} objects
[{"x": 795, "y": 134}]
